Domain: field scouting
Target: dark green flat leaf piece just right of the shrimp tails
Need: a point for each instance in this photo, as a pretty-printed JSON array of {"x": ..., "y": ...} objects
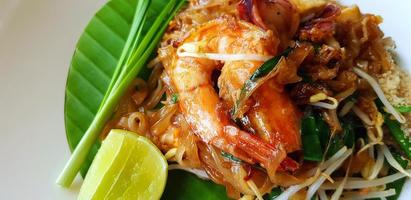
[{"x": 310, "y": 136}]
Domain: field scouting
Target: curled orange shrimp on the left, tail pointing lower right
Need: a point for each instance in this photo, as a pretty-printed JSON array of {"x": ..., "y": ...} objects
[{"x": 203, "y": 109}]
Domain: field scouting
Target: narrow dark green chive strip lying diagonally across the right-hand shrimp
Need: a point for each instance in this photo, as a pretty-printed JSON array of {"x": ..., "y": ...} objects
[{"x": 263, "y": 73}]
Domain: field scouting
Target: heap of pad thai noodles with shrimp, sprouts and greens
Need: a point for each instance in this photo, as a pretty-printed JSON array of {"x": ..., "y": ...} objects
[{"x": 296, "y": 96}]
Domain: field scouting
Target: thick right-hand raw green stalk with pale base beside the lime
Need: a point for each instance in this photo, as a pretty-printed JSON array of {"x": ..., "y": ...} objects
[{"x": 103, "y": 115}]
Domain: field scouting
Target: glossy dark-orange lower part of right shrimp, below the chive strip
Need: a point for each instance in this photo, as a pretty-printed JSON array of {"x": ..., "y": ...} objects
[{"x": 275, "y": 117}]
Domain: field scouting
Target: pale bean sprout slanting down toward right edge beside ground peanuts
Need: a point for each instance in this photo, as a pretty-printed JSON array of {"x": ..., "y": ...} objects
[{"x": 374, "y": 84}]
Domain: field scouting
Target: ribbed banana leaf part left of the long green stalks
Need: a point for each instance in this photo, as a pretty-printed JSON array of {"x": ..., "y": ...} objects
[{"x": 94, "y": 60}]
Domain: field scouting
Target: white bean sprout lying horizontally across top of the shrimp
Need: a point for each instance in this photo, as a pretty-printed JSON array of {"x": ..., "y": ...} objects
[{"x": 191, "y": 50}]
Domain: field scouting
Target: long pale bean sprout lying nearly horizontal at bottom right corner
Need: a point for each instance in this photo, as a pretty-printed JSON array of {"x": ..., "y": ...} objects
[{"x": 358, "y": 183}]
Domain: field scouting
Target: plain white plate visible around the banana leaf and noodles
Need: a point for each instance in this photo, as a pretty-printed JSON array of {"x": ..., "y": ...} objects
[{"x": 37, "y": 39}]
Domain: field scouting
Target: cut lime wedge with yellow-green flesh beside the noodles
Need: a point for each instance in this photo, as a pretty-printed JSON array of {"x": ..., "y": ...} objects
[{"x": 126, "y": 166}]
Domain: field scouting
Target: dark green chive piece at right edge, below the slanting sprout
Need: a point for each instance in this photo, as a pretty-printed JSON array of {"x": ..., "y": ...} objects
[{"x": 398, "y": 134}]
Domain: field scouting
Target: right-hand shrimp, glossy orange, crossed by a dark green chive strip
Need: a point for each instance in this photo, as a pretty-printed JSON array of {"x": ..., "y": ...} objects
[{"x": 272, "y": 114}]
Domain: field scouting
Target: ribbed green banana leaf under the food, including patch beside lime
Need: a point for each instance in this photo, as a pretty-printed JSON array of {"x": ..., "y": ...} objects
[{"x": 92, "y": 67}]
